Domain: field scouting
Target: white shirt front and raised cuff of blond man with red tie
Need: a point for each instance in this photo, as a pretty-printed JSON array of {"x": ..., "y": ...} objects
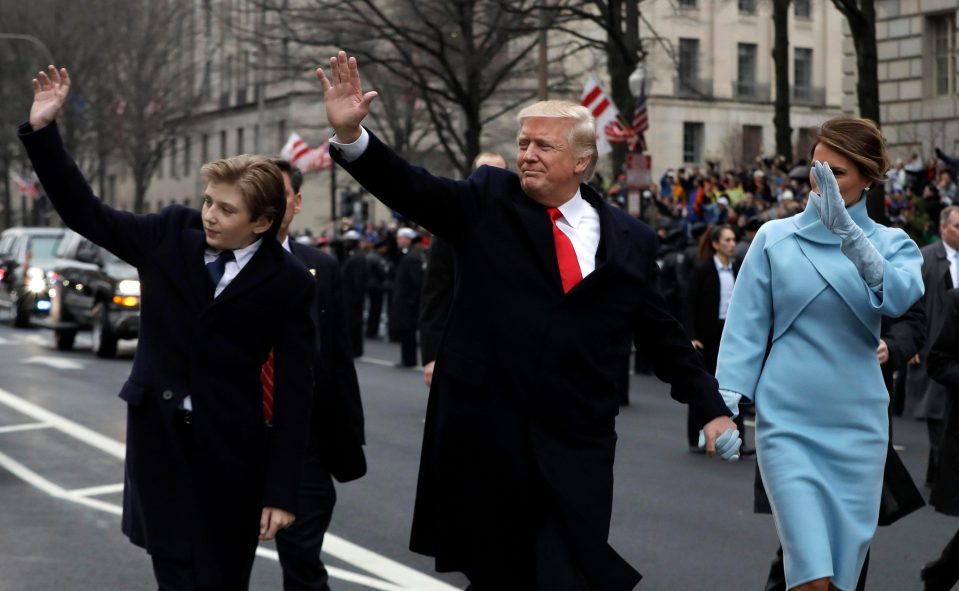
[{"x": 580, "y": 221}]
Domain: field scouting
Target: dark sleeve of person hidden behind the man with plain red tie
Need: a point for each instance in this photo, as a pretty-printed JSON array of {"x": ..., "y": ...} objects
[{"x": 436, "y": 298}]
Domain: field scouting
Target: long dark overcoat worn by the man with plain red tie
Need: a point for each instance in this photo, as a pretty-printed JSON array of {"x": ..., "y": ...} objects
[{"x": 522, "y": 409}]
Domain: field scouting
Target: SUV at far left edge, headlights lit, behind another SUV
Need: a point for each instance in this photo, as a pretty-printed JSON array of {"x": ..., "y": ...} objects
[{"x": 26, "y": 258}]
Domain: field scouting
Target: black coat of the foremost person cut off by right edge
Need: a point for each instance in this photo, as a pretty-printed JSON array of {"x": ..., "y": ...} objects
[{"x": 944, "y": 368}]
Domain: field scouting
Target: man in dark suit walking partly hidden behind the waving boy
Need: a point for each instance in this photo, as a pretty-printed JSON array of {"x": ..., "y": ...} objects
[{"x": 335, "y": 448}]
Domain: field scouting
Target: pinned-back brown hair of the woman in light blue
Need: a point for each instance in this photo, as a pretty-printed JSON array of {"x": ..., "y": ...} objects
[{"x": 859, "y": 140}]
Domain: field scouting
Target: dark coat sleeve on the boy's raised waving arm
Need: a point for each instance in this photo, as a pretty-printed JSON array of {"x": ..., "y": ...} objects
[{"x": 127, "y": 235}]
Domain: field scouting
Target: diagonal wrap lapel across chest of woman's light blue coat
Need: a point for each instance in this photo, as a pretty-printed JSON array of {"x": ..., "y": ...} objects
[{"x": 821, "y": 248}]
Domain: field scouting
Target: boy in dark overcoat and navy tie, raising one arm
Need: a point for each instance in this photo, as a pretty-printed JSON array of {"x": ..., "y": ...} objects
[{"x": 204, "y": 477}]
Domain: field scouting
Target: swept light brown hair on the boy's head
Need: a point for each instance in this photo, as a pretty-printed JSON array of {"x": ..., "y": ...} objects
[{"x": 259, "y": 181}]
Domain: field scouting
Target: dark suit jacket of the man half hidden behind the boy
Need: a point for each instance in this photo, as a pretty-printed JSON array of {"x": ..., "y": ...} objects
[{"x": 337, "y": 408}]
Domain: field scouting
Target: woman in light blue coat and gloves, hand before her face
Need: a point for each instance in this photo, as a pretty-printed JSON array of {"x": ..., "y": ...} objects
[{"x": 817, "y": 284}]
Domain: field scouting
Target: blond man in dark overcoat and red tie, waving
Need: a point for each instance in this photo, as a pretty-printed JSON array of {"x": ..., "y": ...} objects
[{"x": 515, "y": 484}]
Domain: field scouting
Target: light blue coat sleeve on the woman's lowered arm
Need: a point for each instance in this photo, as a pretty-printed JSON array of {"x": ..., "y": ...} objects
[{"x": 748, "y": 322}]
